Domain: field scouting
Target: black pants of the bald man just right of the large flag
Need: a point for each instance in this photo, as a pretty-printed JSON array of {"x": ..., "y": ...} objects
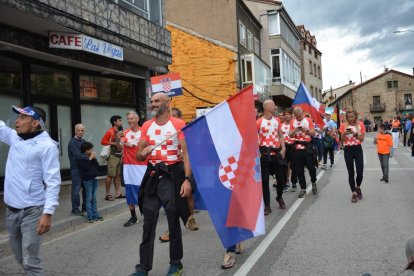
[{"x": 268, "y": 167}]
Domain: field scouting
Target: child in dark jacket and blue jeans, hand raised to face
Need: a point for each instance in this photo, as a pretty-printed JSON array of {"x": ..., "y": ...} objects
[{"x": 88, "y": 167}]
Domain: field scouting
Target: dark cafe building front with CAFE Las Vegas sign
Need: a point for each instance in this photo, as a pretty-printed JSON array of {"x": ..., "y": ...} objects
[{"x": 81, "y": 61}]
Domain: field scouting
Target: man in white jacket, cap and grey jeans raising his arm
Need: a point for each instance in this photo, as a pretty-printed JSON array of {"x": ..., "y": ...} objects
[{"x": 32, "y": 162}]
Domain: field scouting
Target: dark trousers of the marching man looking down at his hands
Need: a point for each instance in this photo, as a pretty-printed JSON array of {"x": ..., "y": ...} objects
[{"x": 300, "y": 159}]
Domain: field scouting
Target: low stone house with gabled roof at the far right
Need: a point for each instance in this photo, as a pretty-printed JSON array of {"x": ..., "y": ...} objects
[{"x": 380, "y": 98}]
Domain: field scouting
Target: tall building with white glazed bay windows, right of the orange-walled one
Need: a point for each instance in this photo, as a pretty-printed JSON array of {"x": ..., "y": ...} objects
[{"x": 280, "y": 49}]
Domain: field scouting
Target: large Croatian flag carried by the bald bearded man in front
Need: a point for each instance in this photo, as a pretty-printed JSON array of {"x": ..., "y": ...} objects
[{"x": 223, "y": 149}]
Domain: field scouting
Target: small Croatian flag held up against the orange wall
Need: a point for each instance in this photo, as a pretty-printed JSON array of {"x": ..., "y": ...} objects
[{"x": 170, "y": 84}]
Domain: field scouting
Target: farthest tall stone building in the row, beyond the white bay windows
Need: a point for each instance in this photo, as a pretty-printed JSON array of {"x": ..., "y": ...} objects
[{"x": 311, "y": 63}]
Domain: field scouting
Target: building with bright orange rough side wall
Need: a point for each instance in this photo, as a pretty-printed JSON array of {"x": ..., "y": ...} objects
[{"x": 216, "y": 50}]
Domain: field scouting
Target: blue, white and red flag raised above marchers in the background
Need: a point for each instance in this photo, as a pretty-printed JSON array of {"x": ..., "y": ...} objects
[{"x": 309, "y": 104}]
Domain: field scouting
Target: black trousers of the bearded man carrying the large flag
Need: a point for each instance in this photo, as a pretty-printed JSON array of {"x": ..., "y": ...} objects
[{"x": 151, "y": 205}]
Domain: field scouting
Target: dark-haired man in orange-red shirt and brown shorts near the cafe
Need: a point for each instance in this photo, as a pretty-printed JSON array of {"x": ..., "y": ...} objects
[{"x": 112, "y": 138}]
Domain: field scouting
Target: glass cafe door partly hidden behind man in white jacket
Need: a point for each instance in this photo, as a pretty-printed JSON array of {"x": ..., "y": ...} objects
[{"x": 58, "y": 125}]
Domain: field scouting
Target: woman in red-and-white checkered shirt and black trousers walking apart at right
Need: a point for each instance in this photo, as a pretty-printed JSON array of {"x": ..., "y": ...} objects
[{"x": 353, "y": 132}]
